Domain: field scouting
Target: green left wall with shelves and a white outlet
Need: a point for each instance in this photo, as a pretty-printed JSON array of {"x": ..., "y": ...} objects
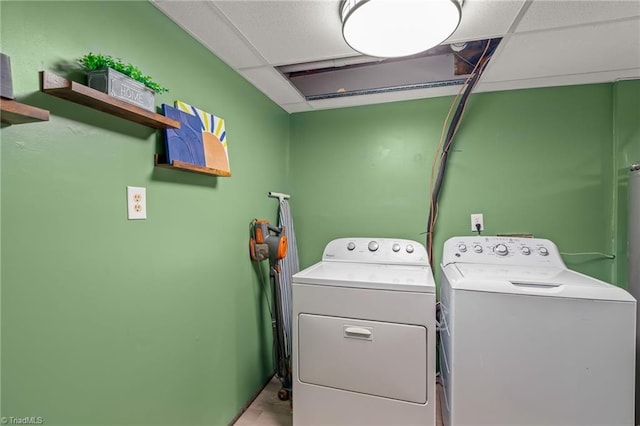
[{"x": 113, "y": 322}]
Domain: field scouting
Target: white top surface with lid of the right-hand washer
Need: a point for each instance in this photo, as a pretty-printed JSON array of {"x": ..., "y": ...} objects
[{"x": 532, "y": 281}]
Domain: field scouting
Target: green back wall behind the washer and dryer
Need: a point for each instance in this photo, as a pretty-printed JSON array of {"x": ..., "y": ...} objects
[{"x": 538, "y": 161}]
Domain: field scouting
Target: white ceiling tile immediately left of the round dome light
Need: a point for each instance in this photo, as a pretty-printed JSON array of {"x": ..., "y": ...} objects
[{"x": 287, "y": 32}]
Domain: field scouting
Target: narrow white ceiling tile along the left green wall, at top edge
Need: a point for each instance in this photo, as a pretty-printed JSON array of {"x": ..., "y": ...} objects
[{"x": 201, "y": 20}]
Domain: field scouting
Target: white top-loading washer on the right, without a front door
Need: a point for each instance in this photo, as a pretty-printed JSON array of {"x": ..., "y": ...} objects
[{"x": 526, "y": 341}]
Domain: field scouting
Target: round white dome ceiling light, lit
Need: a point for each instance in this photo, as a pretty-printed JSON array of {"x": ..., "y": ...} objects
[{"x": 394, "y": 28}]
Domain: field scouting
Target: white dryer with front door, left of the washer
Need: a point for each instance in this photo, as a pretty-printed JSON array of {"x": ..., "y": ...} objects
[{"x": 364, "y": 335}]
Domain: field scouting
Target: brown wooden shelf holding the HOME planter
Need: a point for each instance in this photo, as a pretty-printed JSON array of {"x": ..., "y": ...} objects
[{"x": 54, "y": 85}]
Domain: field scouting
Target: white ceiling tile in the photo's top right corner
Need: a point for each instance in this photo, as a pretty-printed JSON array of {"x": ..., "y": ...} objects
[{"x": 545, "y": 14}]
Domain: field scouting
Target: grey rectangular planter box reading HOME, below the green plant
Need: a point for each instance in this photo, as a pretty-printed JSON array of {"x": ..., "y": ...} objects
[{"x": 118, "y": 85}]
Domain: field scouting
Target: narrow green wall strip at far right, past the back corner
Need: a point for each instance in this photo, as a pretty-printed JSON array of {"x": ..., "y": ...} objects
[{"x": 627, "y": 150}]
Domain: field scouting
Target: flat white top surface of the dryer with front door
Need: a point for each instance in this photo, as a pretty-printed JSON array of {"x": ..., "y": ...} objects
[{"x": 369, "y": 275}]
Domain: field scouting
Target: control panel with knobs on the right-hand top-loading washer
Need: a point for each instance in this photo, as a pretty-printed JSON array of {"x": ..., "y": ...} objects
[{"x": 501, "y": 251}]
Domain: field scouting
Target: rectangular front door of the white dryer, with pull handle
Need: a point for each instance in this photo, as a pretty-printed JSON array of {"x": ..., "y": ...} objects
[{"x": 370, "y": 357}]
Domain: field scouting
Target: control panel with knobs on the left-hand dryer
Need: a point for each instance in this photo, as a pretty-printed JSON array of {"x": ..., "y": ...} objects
[{"x": 376, "y": 250}]
